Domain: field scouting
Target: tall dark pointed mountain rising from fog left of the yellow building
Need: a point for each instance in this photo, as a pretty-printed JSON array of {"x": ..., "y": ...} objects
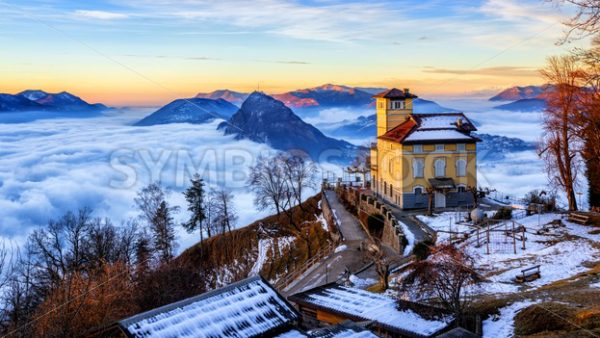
[{"x": 264, "y": 119}]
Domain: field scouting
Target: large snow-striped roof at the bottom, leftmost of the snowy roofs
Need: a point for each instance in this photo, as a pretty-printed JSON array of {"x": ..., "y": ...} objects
[{"x": 244, "y": 309}]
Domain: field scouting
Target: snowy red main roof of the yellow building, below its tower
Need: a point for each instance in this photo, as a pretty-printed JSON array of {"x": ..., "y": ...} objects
[{"x": 433, "y": 128}]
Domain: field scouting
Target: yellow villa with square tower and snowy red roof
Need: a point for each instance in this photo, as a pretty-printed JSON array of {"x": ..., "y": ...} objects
[{"x": 415, "y": 153}]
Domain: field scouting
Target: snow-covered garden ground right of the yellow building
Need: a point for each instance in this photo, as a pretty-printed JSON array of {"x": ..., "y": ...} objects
[{"x": 561, "y": 252}]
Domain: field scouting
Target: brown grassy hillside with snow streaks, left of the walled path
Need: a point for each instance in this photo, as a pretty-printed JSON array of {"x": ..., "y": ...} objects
[{"x": 270, "y": 247}]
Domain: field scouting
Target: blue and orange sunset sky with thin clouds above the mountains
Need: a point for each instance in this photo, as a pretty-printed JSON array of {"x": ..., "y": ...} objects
[{"x": 149, "y": 52}]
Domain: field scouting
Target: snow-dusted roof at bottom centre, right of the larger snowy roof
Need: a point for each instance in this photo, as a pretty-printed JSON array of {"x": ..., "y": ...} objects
[{"x": 366, "y": 305}]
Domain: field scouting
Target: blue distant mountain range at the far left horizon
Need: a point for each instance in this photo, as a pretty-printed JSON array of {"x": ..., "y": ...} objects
[{"x": 39, "y": 100}]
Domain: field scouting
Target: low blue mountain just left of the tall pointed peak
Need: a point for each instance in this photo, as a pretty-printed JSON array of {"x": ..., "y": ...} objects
[{"x": 193, "y": 110}]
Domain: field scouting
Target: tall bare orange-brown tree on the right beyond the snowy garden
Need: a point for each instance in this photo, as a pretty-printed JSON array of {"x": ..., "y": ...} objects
[{"x": 560, "y": 148}]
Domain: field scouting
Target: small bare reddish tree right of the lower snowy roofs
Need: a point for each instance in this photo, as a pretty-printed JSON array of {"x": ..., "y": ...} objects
[{"x": 445, "y": 275}]
